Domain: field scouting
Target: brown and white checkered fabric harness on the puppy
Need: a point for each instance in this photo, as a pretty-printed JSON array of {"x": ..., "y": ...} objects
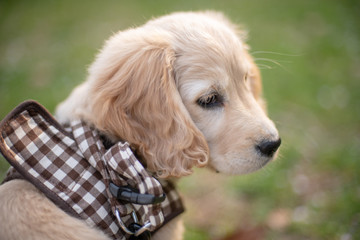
[{"x": 74, "y": 169}]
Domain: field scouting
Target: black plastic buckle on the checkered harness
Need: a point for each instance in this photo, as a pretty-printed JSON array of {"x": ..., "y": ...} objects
[{"x": 129, "y": 194}]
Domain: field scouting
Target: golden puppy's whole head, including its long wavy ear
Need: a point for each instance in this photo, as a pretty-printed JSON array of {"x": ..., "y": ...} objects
[{"x": 184, "y": 92}]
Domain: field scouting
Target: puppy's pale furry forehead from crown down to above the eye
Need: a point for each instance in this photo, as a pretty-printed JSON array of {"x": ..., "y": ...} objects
[{"x": 209, "y": 53}]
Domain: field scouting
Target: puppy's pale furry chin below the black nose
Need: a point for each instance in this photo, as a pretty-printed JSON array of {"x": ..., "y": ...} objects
[{"x": 239, "y": 166}]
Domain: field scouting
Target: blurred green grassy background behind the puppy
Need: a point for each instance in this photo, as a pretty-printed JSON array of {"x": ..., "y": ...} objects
[{"x": 309, "y": 55}]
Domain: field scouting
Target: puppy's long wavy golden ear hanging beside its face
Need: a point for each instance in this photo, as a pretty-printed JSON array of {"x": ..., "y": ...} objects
[{"x": 134, "y": 97}]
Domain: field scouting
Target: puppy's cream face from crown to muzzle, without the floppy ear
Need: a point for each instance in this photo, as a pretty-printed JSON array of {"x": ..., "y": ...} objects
[{"x": 220, "y": 87}]
